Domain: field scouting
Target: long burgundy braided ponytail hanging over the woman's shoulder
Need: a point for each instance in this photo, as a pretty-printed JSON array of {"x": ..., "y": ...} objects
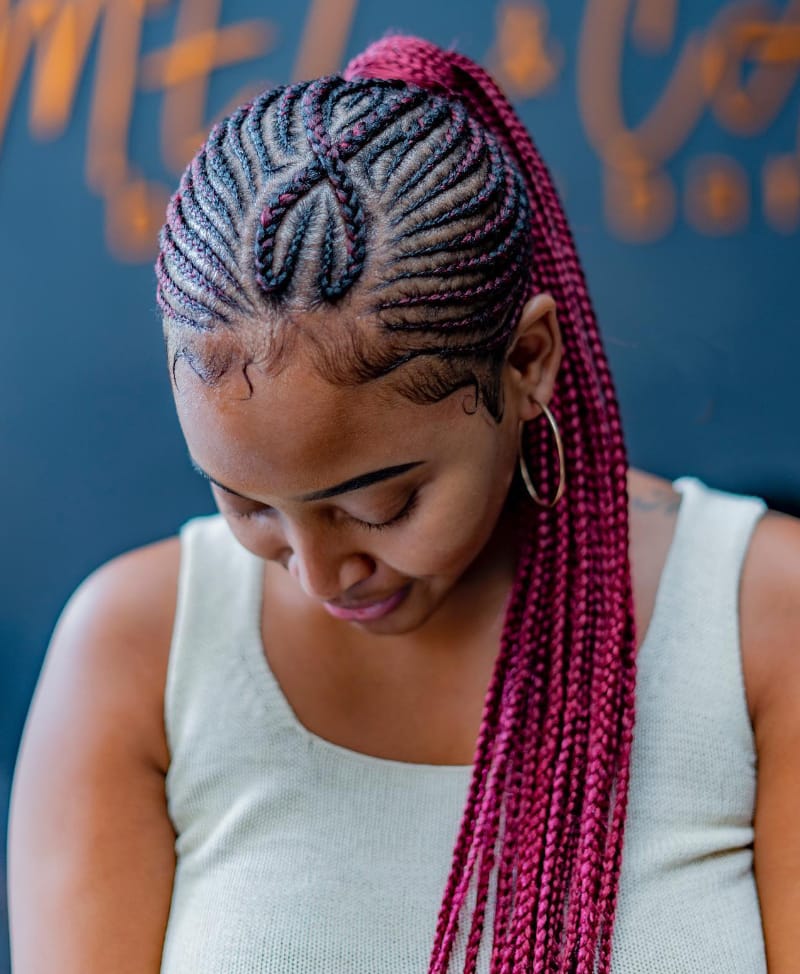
[{"x": 553, "y": 754}]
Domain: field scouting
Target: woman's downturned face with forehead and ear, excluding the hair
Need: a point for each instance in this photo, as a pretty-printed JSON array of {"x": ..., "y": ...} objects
[{"x": 360, "y": 492}]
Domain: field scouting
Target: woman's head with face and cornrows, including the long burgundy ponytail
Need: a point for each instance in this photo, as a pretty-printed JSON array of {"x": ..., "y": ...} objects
[{"x": 341, "y": 258}]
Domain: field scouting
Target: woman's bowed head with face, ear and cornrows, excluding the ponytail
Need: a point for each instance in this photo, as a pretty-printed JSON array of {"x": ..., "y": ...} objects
[{"x": 337, "y": 242}]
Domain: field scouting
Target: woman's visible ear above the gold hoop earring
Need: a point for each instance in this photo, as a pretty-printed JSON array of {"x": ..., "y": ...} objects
[{"x": 534, "y": 356}]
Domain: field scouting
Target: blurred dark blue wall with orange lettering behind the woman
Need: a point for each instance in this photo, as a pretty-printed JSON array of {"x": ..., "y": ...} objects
[{"x": 673, "y": 132}]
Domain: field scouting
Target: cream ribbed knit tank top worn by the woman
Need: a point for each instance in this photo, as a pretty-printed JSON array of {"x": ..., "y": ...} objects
[{"x": 296, "y": 856}]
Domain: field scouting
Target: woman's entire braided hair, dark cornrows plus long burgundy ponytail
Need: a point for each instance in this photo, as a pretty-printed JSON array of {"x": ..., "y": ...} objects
[{"x": 409, "y": 188}]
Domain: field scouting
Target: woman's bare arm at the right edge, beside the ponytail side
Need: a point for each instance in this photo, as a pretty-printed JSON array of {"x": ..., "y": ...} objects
[{"x": 770, "y": 615}]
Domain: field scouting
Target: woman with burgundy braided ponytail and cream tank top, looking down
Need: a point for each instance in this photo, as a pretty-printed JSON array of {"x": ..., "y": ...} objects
[{"x": 251, "y": 748}]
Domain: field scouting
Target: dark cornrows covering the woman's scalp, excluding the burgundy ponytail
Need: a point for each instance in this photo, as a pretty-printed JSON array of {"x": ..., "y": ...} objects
[{"x": 298, "y": 194}]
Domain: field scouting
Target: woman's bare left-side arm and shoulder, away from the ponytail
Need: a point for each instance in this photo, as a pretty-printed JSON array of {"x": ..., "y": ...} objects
[{"x": 91, "y": 848}]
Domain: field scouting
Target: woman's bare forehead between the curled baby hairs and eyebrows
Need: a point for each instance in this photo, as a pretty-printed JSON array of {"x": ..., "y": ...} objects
[{"x": 293, "y": 432}]
